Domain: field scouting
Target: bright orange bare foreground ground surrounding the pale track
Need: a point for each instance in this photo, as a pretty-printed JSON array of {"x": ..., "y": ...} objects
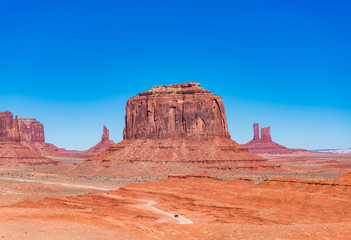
[{"x": 220, "y": 209}]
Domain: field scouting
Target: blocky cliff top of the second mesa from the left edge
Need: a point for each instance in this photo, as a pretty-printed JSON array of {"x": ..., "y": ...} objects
[{"x": 31, "y": 130}]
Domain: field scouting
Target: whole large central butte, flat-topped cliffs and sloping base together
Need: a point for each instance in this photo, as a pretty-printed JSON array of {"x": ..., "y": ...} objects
[{"x": 178, "y": 124}]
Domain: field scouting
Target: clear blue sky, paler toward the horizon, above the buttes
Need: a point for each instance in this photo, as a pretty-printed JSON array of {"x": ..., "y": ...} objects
[{"x": 73, "y": 64}]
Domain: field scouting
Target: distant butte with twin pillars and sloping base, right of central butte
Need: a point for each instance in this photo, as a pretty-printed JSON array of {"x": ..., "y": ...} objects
[{"x": 264, "y": 144}]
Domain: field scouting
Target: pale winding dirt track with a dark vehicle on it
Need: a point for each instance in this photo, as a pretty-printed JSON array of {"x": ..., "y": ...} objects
[{"x": 148, "y": 205}]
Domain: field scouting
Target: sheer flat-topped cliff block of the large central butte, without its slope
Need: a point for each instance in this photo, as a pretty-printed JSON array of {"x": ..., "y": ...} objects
[{"x": 181, "y": 110}]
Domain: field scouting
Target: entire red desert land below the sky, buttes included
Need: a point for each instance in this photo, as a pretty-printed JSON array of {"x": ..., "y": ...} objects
[{"x": 176, "y": 175}]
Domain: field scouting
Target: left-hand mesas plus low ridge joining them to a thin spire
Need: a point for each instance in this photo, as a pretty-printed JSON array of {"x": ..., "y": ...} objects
[{"x": 22, "y": 143}]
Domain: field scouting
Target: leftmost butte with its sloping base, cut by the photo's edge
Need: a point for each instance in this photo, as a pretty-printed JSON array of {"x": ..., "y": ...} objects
[{"x": 12, "y": 152}]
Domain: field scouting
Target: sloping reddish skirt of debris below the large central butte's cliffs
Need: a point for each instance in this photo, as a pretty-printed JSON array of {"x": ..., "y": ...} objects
[{"x": 217, "y": 153}]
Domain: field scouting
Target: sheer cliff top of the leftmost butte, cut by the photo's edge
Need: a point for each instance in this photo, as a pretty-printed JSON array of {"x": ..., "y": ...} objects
[{"x": 9, "y": 129}]
